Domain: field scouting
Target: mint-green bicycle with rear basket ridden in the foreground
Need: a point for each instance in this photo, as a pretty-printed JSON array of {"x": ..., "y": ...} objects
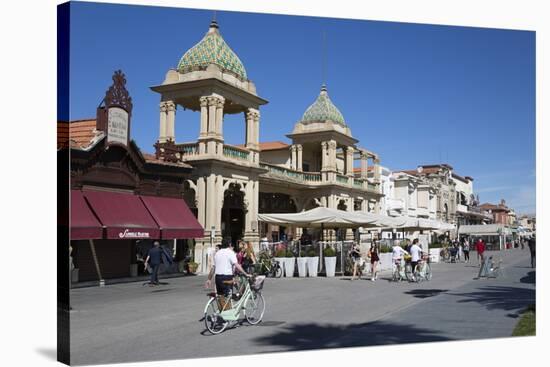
[{"x": 220, "y": 311}]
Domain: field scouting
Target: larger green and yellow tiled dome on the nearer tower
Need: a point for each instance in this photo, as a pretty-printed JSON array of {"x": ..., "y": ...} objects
[{"x": 212, "y": 49}]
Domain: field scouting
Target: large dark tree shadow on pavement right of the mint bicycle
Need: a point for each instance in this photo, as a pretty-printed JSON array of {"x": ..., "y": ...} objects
[{"x": 317, "y": 336}]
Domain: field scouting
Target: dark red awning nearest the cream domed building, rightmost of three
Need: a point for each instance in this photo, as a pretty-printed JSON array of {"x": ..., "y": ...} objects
[{"x": 174, "y": 217}]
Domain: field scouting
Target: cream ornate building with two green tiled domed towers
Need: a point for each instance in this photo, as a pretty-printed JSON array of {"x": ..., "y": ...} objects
[{"x": 232, "y": 184}]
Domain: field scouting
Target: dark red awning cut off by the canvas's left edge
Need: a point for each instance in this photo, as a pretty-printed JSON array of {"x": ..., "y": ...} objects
[{"x": 84, "y": 224}]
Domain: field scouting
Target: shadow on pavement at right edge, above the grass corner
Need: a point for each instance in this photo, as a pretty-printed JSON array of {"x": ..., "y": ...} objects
[{"x": 499, "y": 297}]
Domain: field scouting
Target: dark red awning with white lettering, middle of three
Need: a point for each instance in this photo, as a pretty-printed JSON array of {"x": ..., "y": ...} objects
[{"x": 124, "y": 215}]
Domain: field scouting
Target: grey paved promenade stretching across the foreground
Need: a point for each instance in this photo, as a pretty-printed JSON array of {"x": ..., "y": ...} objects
[{"x": 130, "y": 322}]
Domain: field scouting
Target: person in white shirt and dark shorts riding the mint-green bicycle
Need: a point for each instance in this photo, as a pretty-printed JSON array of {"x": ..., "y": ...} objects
[{"x": 224, "y": 261}]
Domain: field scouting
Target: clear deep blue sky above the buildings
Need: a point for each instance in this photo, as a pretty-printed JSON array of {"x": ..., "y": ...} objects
[{"x": 415, "y": 94}]
